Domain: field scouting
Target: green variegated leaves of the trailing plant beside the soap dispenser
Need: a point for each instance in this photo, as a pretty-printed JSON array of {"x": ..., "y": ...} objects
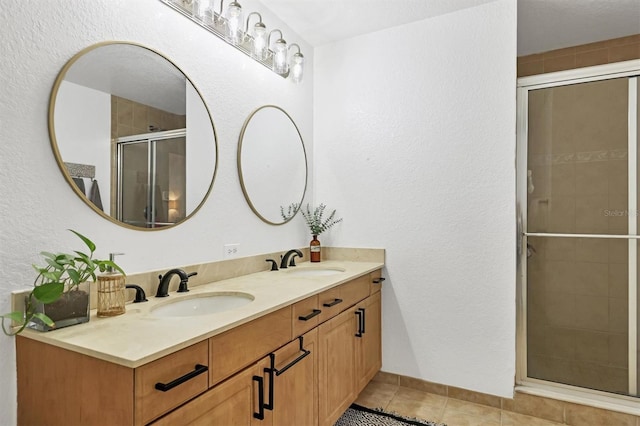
[{"x": 62, "y": 272}]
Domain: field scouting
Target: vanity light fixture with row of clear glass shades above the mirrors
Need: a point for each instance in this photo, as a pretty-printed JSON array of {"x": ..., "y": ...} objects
[{"x": 254, "y": 43}]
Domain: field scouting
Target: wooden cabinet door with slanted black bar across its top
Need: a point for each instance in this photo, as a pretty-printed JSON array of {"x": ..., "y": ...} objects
[{"x": 295, "y": 390}]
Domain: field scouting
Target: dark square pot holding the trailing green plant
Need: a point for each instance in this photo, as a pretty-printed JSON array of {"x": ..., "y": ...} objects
[{"x": 71, "y": 308}]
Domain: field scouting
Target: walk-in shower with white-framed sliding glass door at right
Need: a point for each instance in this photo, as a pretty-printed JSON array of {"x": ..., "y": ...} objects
[{"x": 578, "y": 204}]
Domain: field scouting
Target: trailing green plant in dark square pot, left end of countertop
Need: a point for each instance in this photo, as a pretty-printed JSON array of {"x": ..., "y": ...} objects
[{"x": 60, "y": 295}]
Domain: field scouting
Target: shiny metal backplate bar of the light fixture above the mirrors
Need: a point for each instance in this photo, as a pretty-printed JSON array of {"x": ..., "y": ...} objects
[{"x": 219, "y": 25}]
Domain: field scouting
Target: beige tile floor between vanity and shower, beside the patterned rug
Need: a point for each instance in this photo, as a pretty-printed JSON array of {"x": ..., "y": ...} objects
[{"x": 428, "y": 406}]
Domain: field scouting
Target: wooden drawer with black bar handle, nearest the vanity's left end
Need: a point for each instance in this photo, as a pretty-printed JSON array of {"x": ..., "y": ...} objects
[{"x": 183, "y": 374}]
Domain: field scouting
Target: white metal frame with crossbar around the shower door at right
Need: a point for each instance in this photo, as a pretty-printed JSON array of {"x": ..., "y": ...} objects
[{"x": 543, "y": 387}]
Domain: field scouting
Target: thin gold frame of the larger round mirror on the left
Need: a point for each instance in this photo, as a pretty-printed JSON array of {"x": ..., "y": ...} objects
[{"x": 61, "y": 164}]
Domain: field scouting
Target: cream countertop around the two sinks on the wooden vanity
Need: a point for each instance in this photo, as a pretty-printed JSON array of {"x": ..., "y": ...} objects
[{"x": 138, "y": 337}]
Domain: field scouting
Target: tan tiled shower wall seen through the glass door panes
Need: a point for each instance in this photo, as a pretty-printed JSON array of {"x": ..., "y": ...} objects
[{"x": 577, "y": 287}]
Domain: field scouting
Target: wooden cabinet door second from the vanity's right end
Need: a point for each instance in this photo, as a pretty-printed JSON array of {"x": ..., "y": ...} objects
[{"x": 336, "y": 366}]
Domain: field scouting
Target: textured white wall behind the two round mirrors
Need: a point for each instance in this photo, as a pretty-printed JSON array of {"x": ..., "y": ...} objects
[{"x": 37, "y": 206}]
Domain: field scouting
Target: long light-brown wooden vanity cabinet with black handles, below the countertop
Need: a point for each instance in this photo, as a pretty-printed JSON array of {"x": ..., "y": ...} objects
[{"x": 307, "y": 372}]
